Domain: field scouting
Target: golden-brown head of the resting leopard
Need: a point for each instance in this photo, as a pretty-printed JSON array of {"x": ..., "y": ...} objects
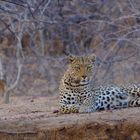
[{"x": 80, "y": 70}]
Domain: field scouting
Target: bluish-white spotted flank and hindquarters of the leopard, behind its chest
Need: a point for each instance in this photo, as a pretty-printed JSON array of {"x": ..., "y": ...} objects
[{"x": 112, "y": 97}]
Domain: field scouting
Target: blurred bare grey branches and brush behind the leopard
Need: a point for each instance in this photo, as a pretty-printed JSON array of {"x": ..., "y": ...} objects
[{"x": 37, "y": 35}]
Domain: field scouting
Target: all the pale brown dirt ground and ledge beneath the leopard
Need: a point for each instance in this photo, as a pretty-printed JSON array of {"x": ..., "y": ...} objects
[{"x": 33, "y": 118}]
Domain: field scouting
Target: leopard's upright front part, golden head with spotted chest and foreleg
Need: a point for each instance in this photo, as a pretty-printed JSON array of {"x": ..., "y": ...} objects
[{"x": 75, "y": 84}]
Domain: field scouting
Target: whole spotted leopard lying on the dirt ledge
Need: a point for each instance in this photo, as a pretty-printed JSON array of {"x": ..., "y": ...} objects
[{"x": 78, "y": 95}]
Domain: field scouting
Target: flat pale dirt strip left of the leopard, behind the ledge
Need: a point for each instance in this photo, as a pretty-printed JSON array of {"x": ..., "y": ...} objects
[{"x": 21, "y": 105}]
